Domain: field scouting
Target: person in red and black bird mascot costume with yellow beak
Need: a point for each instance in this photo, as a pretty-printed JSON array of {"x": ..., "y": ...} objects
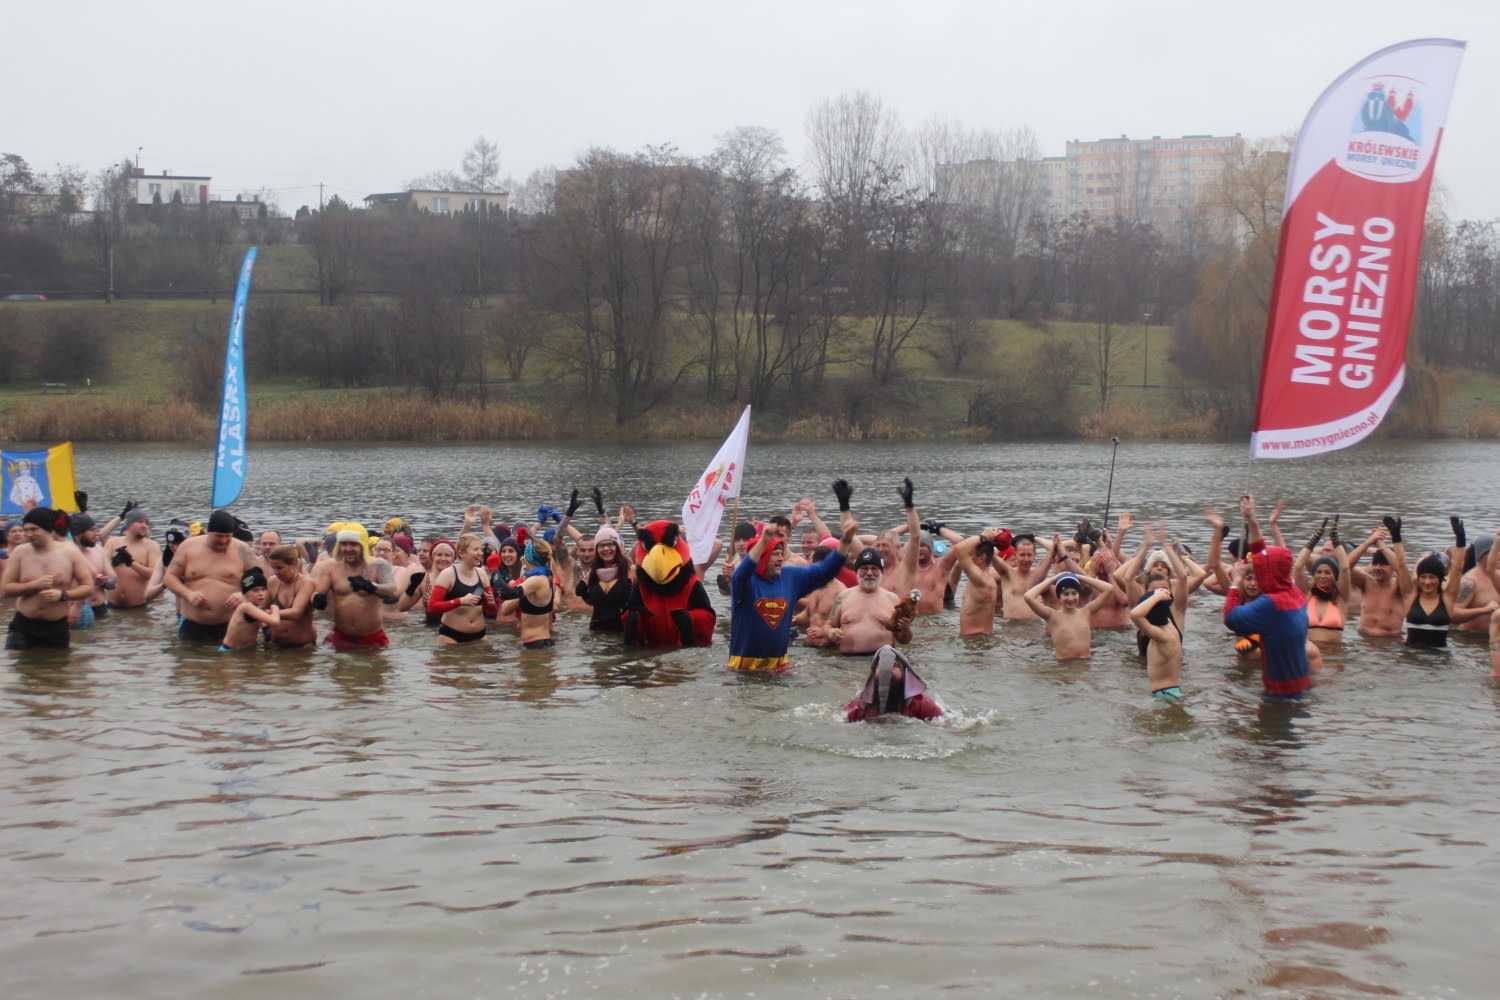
[{"x": 668, "y": 606}]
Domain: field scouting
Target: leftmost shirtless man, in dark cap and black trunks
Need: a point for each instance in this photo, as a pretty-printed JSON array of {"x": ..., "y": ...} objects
[{"x": 44, "y": 575}]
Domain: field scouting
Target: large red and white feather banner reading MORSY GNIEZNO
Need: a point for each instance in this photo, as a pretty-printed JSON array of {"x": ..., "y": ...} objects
[{"x": 1351, "y": 241}]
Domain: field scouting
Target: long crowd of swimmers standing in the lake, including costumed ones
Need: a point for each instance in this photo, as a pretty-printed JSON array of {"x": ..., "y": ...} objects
[{"x": 841, "y": 588}]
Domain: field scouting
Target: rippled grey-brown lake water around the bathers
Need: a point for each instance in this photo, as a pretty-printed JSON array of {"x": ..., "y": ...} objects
[{"x": 581, "y": 822}]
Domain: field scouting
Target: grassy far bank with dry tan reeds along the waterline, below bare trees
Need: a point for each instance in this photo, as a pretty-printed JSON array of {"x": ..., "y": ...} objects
[{"x": 136, "y": 395}]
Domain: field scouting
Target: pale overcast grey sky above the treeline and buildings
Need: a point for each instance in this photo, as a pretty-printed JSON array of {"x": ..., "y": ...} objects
[{"x": 365, "y": 95}]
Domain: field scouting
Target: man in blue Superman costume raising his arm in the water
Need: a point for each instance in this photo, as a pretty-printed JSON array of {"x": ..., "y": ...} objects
[{"x": 764, "y": 596}]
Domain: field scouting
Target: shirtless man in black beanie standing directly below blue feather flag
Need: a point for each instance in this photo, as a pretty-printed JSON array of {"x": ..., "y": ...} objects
[{"x": 206, "y": 578}]
